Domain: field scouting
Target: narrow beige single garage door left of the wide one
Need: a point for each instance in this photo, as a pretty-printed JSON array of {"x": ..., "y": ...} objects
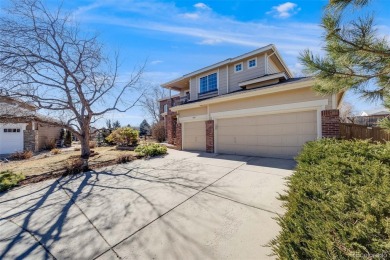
[{"x": 194, "y": 136}]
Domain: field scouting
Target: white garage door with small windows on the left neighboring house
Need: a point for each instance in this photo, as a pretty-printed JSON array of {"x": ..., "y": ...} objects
[{"x": 11, "y": 138}]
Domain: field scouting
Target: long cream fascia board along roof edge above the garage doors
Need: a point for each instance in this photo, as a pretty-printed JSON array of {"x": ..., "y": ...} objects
[{"x": 246, "y": 94}]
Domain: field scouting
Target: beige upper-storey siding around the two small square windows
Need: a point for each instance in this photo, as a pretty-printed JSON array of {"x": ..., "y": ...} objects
[{"x": 246, "y": 73}]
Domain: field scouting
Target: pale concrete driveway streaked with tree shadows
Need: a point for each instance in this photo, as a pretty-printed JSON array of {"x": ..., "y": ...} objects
[{"x": 183, "y": 206}]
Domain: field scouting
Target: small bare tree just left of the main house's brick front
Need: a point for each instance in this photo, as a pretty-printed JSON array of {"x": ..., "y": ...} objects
[{"x": 150, "y": 102}]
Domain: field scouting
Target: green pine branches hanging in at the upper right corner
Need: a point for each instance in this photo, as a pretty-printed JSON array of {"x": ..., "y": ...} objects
[{"x": 356, "y": 57}]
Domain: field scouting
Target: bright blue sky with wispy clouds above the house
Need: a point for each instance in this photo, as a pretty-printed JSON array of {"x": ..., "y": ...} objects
[{"x": 178, "y": 37}]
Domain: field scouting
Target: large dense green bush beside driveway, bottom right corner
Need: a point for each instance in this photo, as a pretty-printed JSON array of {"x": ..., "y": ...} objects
[{"x": 338, "y": 203}]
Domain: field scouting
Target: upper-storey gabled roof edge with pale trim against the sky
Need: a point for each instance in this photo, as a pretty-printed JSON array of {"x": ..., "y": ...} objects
[{"x": 233, "y": 60}]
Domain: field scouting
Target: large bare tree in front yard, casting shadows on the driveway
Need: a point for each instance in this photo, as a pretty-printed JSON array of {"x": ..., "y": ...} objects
[{"x": 46, "y": 59}]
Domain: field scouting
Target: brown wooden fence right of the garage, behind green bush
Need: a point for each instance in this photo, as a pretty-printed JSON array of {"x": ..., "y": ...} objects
[{"x": 353, "y": 131}]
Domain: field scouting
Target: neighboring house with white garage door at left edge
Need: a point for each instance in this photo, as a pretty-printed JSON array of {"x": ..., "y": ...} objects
[{"x": 19, "y": 130}]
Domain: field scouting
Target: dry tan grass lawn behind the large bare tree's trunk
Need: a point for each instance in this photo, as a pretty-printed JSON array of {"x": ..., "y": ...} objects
[{"x": 46, "y": 162}]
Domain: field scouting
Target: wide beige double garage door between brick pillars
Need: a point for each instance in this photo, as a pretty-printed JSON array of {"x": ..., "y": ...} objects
[{"x": 277, "y": 135}]
